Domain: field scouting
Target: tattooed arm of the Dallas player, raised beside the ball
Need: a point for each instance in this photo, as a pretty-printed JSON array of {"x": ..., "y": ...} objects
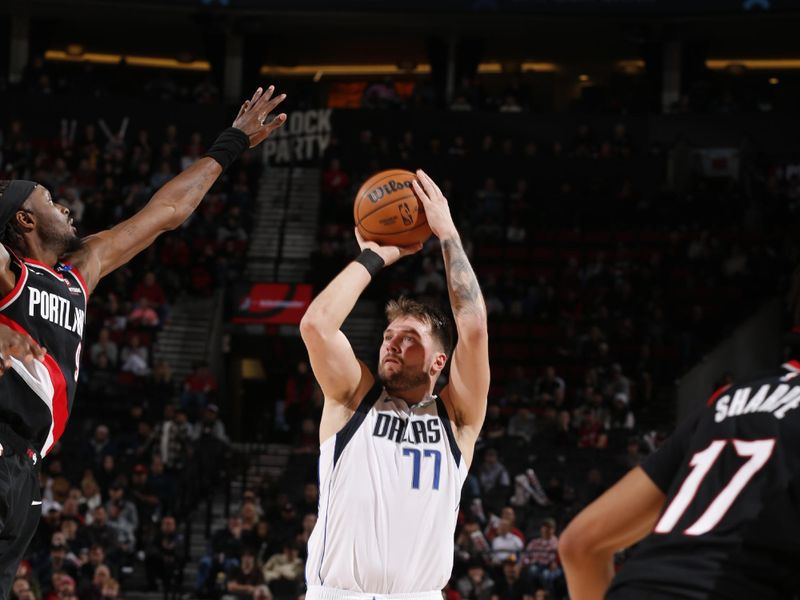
[{"x": 468, "y": 387}]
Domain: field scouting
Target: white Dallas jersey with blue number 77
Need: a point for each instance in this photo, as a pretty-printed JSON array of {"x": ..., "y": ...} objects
[{"x": 390, "y": 486}]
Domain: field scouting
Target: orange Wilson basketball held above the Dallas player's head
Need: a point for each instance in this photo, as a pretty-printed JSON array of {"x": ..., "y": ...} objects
[{"x": 387, "y": 211}]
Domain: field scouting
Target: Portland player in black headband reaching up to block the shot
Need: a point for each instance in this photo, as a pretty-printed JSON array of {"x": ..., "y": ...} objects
[{"x": 46, "y": 276}]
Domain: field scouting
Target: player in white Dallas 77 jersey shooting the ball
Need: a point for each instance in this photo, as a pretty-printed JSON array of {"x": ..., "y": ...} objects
[{"x": 393, "y": 457}]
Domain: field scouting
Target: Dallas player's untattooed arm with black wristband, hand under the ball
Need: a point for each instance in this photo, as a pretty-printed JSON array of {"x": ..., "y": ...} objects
[{"x": 338, "y": 371}]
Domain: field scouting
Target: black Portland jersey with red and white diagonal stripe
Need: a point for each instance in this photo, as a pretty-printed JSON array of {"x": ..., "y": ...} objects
[{"x": 49, "y": 305}]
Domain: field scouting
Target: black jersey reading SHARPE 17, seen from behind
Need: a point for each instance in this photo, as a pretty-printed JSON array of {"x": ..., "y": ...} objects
[{"x": 730, "y": 526}]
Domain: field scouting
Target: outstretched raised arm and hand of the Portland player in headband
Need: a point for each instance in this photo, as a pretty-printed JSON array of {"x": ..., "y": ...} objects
[{"x": 178, "y": 198}]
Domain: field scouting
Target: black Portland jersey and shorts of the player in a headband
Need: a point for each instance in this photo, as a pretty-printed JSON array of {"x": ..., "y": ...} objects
[{"x": 48, "y": 304}]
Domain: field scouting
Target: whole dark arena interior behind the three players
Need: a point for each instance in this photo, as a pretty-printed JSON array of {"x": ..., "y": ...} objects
[{"x": 625, "y": 176}]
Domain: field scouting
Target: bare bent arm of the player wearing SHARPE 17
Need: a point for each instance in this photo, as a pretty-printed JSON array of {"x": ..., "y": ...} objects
[{"x": 622, "y": 516}]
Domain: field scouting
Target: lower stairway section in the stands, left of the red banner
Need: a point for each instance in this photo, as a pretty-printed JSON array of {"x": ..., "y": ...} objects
[{"x": 187, "y": 336}]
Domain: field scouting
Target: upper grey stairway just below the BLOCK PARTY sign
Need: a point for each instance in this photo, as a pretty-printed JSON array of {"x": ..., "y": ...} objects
[{"x": 296, "y": 217}]
